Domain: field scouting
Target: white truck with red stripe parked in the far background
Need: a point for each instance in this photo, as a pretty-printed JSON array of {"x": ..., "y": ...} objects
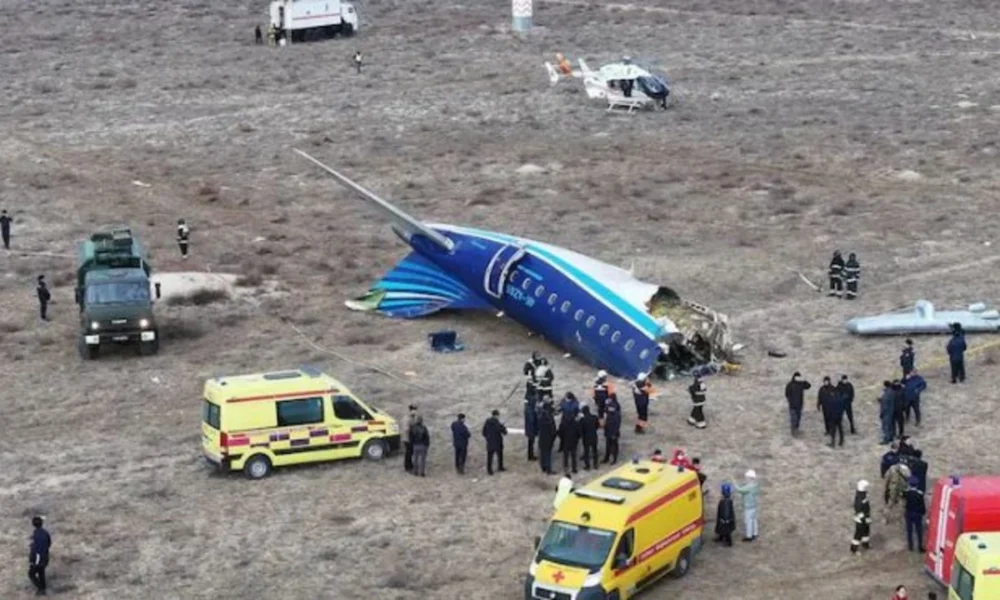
[{"x": 306, "y": 20}]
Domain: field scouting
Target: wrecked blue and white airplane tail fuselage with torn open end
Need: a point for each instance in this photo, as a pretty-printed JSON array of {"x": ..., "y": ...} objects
[{"x": 595, "y": 311}]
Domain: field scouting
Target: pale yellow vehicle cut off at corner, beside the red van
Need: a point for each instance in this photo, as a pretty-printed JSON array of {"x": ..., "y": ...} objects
[{"x": 975, "y": 574}]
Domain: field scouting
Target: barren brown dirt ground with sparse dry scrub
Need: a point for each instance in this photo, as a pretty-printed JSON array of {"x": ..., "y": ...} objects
[{"x": 799, "y": 127}]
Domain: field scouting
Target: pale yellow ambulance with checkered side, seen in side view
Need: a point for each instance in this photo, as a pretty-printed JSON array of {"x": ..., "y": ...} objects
[{"x": 256, "y": 422}]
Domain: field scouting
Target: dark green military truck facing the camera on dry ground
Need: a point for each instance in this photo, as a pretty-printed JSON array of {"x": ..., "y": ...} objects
[{"x": 113, "y": 291}]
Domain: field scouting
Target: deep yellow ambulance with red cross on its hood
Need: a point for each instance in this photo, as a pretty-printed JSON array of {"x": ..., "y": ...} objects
[{"x": 619, "y": 534}]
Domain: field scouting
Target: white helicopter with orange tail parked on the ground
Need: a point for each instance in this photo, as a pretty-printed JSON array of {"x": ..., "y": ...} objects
[{"x": 623, "y": 84}]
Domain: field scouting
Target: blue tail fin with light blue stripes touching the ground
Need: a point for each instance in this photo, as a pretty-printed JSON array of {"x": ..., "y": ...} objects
[{"x": 416, "y": 287}]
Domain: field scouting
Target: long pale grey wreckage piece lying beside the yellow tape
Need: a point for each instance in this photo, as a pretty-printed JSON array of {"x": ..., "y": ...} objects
[{"x": 925, "y": 319}]
